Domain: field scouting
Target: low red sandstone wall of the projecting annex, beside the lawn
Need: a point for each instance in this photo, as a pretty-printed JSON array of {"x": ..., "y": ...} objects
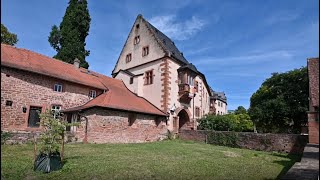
[{"x": 111, "y": 126}]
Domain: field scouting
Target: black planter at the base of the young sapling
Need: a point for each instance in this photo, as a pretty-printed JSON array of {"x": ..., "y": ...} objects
[{"x": 47, "y": 162}]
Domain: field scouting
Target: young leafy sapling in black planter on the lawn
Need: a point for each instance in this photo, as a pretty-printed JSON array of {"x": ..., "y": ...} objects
[{"x": 52, "y": 142}]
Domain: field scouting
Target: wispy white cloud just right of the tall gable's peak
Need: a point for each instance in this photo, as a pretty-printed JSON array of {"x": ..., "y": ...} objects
[{"x": 178, "y": 30}]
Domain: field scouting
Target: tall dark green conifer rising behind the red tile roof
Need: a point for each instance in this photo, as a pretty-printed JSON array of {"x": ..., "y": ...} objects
[{"x": 69, "y": 39}]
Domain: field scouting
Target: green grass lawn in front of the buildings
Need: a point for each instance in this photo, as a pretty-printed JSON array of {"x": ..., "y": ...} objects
[{"x": 159, "y": 160}]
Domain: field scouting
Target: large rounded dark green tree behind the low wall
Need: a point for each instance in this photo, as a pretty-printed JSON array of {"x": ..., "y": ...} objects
[{"x": 280, "y": 104}]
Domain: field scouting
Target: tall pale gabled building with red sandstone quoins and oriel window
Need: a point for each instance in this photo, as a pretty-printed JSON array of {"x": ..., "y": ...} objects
[{"x": 152, "y": 67}]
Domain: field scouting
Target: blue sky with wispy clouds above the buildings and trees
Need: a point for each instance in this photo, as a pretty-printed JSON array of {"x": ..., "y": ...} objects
[{"x": 236, "y": 44}]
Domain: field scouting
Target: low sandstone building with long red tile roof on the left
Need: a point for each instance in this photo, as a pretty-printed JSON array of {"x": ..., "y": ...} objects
[{"x": 106, "y": 109}]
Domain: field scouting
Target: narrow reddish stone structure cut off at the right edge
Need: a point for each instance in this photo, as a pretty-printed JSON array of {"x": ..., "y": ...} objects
[{"x": 313, "y": 113}]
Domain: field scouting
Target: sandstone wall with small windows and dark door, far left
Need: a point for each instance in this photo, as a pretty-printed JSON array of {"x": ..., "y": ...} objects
[{"x": 25, "y": 89}]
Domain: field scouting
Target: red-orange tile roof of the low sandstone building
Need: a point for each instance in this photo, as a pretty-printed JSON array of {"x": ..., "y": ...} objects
[{"x": 117, "y": 95}]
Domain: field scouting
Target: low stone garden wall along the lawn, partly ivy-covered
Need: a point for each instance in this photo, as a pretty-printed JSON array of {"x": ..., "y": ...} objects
[{"x": 289, "y": 143}]
